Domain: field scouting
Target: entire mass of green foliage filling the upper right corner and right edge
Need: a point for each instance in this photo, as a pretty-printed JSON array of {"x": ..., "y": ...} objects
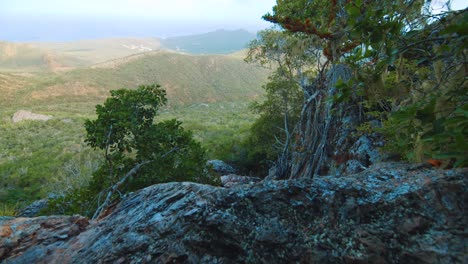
[{"x": 409, "y": 66}]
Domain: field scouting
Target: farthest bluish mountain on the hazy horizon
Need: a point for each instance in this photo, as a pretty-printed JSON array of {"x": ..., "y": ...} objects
[{"x": 216, "y": 42}]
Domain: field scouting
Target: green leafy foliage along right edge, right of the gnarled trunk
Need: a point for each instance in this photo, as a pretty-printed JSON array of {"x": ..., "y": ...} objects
[{"x": 429, "y": 110}]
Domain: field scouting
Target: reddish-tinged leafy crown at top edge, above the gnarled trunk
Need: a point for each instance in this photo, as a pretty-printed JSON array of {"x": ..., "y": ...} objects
[{"x": 342, "y": 25}]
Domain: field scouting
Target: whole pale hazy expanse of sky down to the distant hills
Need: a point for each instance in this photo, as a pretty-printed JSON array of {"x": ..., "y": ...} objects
[{"x": 31, "y": 20}]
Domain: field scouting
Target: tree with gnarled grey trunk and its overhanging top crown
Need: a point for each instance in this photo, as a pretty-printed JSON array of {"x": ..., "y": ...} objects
[{"x": 333, "y": 109}]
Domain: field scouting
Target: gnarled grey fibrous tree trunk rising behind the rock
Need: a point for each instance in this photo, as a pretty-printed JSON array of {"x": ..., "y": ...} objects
[{"x": 323, "y": 132}]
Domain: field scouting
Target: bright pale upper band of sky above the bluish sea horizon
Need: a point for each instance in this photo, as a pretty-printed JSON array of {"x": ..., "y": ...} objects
[{"x": 236, "y": 10}]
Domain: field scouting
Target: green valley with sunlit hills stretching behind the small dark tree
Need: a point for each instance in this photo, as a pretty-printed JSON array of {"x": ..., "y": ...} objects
[{"x": 209, "y": 93}]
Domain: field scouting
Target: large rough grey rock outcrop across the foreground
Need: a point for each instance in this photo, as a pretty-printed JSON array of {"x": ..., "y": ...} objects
[{"x": 390, "y": 213}]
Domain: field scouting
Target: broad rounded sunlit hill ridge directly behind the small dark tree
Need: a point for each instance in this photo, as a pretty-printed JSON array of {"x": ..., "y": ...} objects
[{"x": 187, "y": 79}]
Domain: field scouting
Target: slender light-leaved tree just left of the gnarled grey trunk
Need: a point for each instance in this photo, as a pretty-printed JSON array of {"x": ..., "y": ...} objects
[{"x": 294, "y": 57}]
